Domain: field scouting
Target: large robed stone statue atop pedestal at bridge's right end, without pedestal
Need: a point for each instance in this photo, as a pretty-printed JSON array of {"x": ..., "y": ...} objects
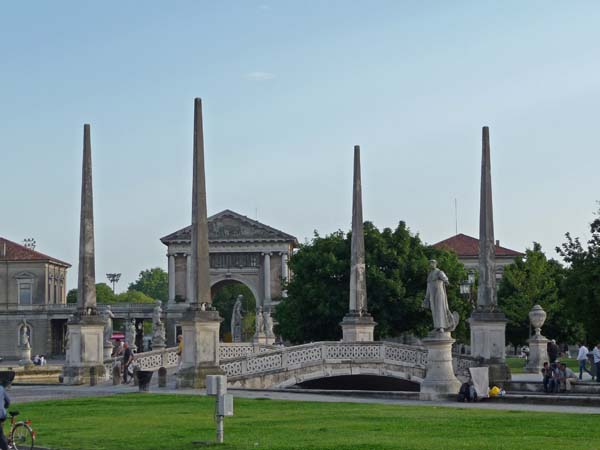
[{"x": 437, "y": 300}]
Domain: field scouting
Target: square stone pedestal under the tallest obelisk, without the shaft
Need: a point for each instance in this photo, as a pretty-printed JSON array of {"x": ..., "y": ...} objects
[{"x": 200, "y": 330}]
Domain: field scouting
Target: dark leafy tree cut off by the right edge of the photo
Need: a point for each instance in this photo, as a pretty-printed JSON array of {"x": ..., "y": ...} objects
[{"x": 581, "y": 286}]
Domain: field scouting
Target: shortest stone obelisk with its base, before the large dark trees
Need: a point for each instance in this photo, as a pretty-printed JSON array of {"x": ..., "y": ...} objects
[{"x": 358, "y": 325}]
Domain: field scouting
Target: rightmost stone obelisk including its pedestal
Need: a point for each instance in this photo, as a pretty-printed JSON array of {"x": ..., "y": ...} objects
[{"x": 487, "y": 322}]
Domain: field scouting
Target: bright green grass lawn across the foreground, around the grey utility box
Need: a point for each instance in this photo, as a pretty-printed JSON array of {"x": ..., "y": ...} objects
[{"x": 149, "y": 421}]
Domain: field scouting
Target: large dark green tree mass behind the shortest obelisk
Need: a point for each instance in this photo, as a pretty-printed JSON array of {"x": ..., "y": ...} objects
[{"x": 397, "y": 267}]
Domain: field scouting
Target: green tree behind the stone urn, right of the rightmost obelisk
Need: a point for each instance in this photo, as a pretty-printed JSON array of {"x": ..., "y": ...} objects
[{"x": 534, "y": 280}]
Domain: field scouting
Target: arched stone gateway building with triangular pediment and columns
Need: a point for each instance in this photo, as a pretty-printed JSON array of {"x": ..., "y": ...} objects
[{"x": 242, "y": 250}]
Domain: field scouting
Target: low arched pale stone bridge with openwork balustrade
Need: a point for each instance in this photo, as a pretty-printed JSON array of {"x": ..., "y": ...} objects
[{"x": 261, "y": 367}]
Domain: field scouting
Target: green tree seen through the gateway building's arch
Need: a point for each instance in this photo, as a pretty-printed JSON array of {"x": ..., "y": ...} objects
[{"x": 224, "y": 298}]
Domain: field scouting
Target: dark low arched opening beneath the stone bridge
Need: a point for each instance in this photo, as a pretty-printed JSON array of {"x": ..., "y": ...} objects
[{"x": 360, "y": 382}]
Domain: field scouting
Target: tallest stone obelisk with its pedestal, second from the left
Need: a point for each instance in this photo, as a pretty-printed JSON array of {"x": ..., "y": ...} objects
[{"x": 200, "y": 323}]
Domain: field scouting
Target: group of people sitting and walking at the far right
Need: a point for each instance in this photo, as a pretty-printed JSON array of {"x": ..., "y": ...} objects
[{"x": 559, "y": 378}]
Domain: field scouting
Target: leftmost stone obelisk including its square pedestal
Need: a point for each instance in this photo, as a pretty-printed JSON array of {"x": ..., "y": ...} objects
[{"x": 85, "y": 353}]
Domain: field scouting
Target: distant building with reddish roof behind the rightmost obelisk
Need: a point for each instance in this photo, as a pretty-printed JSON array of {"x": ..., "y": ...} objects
[{"x": 467, "y": 250}]
